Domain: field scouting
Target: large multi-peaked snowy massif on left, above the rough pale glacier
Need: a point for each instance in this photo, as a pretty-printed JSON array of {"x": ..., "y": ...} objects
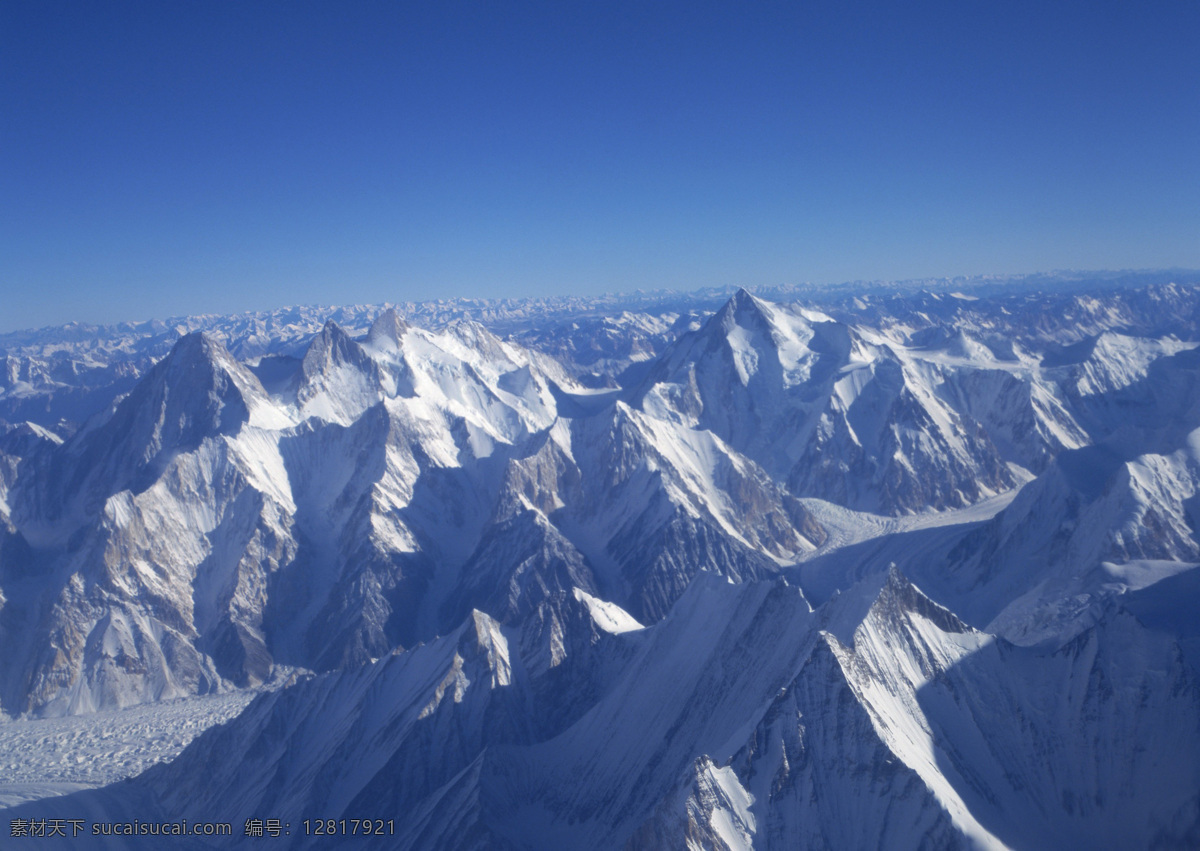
[{"x": 207, "y": 531}]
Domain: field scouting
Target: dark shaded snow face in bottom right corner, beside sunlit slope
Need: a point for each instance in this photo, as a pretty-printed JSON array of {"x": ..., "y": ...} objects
[{"x": 1077, "y": 710}]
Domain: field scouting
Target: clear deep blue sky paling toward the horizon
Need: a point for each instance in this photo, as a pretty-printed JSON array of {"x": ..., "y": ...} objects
[{"x": 175, "y": 158}]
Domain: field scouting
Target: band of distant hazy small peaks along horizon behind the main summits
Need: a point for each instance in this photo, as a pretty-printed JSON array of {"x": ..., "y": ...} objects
[{"x": 59, "y": 377}]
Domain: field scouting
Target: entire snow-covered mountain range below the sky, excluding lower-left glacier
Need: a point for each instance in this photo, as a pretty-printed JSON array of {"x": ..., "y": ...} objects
[{"x": 909, "y": 567}]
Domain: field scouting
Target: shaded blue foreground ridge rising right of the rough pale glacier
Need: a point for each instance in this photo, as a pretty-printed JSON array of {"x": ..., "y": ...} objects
[{"x": 365, "y": 740}]
